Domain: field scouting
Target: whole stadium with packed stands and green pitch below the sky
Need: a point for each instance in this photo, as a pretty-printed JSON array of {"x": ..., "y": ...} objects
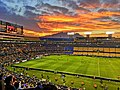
[{"x": 62, "y": 63}]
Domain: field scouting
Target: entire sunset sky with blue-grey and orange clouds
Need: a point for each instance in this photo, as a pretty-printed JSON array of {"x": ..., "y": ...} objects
[{"x": 47, "y": 17}]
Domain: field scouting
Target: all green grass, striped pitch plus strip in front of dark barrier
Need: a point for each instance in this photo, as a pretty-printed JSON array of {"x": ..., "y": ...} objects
[{"x": 96, "y": 66}]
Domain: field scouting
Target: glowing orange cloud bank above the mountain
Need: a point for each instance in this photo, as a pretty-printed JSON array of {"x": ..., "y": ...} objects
[{"x": 90, "y": 21}]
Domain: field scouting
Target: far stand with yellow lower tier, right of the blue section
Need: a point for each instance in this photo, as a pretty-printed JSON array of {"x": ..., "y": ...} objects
[{"x": 107, "y": 47}]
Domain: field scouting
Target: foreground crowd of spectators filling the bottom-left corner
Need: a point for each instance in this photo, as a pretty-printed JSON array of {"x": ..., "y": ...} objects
[{"x": 14, "y": 81}]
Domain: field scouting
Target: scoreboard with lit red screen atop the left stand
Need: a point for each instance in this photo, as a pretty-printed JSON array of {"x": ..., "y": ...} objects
[{"x": 8, "y": 27}]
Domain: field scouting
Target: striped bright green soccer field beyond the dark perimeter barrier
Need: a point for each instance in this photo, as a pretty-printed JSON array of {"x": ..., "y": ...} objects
[{"x": 96, "y": 66}]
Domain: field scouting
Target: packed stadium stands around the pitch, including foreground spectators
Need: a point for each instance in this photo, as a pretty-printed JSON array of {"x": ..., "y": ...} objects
[{"x": 16, "y": 51}]
